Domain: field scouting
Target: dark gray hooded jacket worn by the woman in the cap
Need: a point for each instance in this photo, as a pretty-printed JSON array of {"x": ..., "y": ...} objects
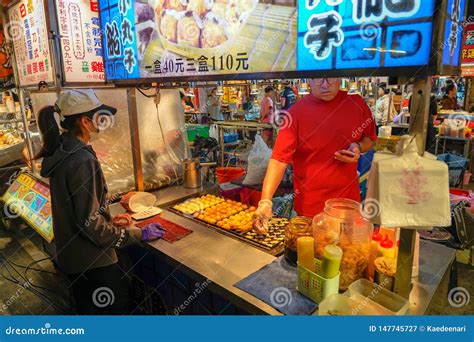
[{"x": 84, "y": 234}]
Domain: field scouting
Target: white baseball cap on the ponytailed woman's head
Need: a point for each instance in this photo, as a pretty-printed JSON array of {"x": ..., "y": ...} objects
[{"x": 81, "y": 101}]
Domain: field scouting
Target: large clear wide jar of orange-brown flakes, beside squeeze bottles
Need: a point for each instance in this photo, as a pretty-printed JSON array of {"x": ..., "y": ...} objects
[{"x": 341, "y": 223}]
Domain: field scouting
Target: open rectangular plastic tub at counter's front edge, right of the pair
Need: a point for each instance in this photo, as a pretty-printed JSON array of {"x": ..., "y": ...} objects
[{"x": 379, "y": 297}]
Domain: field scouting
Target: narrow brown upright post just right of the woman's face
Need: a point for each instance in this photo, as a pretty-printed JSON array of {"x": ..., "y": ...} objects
[{"x": 135, "y": 139}]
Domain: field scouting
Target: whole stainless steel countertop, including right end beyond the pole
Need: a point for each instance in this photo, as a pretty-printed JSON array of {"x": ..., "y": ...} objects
[{"x": 225, "y": 261}]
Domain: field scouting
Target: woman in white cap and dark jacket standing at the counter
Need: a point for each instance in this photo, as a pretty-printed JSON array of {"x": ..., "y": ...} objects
[{"x": 85, "y": 236}]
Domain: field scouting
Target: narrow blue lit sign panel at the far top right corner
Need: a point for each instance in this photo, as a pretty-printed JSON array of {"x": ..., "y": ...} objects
[{"x": 453, "y": 31}]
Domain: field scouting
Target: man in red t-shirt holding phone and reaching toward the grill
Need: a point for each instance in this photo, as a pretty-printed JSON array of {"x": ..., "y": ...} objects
[{"x": 323, "y": 136}]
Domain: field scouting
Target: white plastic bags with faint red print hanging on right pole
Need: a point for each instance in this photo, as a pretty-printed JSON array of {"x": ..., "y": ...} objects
[{"x": 412, "y": 191}]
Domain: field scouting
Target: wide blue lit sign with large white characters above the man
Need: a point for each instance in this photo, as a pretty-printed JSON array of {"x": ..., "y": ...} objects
[{"x": 363, "y": 34}]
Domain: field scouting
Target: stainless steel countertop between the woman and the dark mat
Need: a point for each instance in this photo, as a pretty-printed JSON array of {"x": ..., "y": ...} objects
[{"x": 209, "y": 254}]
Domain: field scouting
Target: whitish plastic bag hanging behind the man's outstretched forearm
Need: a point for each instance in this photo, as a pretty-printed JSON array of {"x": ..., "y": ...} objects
[{"x": 258, "y": 160}]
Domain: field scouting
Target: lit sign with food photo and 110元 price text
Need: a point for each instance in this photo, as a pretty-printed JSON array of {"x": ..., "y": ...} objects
[{"x": 145, "y": 39}]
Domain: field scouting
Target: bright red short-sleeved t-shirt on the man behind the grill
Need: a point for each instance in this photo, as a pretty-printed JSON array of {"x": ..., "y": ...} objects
[{"x": 315, "y": 130}]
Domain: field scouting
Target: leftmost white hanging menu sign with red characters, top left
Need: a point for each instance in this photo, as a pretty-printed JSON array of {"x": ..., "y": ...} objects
[{"x": 29, "y": 33}]
